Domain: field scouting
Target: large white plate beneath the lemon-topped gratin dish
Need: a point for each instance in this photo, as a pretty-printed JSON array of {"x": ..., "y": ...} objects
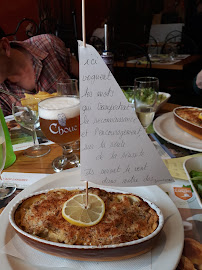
[{"x": 167, "y": 251}]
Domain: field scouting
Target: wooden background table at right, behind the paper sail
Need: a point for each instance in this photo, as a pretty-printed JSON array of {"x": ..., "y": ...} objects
[{"x": 181, "y": 65}]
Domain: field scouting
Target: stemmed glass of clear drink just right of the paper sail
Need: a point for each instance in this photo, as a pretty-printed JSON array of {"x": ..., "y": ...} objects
[{"x": 145, "y": 98}]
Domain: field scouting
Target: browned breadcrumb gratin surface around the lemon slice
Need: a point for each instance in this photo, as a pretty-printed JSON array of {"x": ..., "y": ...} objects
[{"x": 127, "y": 217}]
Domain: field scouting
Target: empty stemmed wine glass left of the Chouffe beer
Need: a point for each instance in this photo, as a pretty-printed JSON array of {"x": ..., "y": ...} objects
[{"x": 27, "y": 116}]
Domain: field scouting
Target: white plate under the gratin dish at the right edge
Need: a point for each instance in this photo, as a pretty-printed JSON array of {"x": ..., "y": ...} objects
[{"x": 166, "y": 127}]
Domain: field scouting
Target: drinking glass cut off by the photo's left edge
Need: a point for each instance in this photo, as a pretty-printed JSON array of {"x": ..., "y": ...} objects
[{"x": 4, "y": 191}]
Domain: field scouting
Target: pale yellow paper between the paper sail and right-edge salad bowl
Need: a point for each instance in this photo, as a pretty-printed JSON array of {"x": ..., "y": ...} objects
[{"x": 175, "y": 166}]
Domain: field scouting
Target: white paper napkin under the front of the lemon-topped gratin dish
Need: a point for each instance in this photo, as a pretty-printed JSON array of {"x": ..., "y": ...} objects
[{"x": 18, "y": 248}]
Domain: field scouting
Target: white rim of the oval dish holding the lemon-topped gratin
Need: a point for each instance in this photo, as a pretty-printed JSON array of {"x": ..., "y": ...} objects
[{"x": 61, "y": 245}]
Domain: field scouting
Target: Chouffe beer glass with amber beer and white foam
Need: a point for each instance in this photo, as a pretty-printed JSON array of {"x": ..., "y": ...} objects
[{"x": 60, "y": 122}]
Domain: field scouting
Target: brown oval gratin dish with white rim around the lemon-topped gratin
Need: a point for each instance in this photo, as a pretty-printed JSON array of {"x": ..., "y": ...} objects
[{"x": 91, "y": 253}]
